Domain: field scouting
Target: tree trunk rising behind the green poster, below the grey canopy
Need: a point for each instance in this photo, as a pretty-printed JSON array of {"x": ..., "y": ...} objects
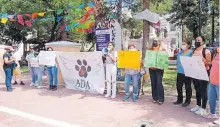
[{"x": 146, "y": 30}]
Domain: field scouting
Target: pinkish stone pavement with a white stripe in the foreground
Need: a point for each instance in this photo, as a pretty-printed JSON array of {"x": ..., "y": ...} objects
[{"x": 30, "y": 107}]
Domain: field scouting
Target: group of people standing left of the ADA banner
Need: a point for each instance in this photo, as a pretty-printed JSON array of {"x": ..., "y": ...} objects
[{"x": 11, "y": 67}]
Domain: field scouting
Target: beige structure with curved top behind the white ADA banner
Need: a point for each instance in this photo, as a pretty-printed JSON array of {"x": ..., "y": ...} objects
[{"x": 63, "y": 46}]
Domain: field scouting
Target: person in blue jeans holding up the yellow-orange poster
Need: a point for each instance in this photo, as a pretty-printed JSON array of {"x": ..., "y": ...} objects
[{"x": 131, "y": 74}]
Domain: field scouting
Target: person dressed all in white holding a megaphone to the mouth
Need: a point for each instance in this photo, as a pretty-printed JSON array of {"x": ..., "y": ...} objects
[{"x": 111, "y": 71}]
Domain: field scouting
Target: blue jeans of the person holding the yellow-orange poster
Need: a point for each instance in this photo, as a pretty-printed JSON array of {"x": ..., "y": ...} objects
[{"x": 135, "y": 79}]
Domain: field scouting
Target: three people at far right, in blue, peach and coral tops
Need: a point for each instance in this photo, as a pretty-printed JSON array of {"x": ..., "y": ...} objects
[{"x": 205, "y": 90}]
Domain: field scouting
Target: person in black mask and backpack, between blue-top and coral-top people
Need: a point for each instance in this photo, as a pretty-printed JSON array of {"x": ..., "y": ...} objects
[{"x": 201, "y": 85}]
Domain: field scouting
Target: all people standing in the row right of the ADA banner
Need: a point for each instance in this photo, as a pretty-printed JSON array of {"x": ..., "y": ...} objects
[{"x": 205, "y": 90}]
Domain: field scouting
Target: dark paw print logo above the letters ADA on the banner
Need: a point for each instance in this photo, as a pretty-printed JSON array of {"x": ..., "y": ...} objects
[{"x": 82, "y": 68}]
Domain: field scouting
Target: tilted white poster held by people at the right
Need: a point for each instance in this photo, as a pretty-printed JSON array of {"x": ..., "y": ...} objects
[{"x": 194, "y": 67}]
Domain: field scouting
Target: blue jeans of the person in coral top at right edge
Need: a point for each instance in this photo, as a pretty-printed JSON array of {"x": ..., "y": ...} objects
[{"x": 213, "y": 95}]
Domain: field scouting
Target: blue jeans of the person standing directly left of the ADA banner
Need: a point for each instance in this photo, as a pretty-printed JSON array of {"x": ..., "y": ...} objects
[{"x": 52, "y": 73}]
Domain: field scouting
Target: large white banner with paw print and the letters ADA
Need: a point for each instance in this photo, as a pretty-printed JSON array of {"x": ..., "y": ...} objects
[{"x": 82, "y": 71}]
